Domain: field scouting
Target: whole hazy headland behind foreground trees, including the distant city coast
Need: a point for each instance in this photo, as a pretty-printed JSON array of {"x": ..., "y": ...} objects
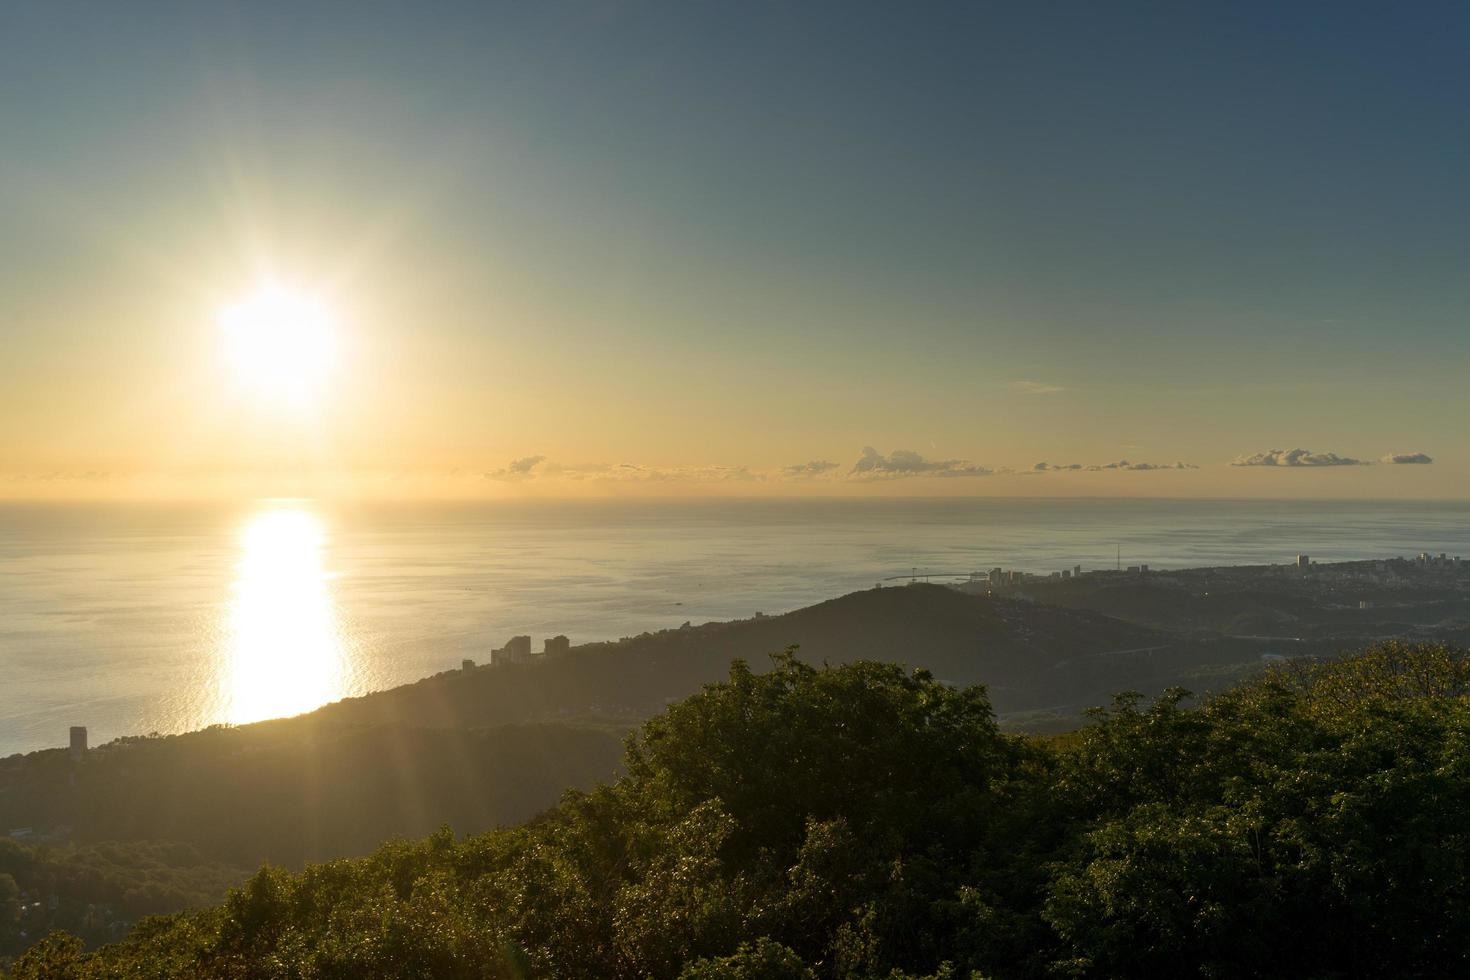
[{"x": 496, "y": 741}]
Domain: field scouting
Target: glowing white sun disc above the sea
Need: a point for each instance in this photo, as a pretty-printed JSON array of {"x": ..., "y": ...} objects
[{"x": 280, "y": 345}]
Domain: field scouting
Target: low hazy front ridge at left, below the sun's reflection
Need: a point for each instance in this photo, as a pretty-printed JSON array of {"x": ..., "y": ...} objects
[{"x": 304, "y": 790}]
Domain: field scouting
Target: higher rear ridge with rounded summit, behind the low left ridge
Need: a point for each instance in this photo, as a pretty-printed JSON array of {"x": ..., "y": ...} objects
[{"x": 1030, "y": 656}]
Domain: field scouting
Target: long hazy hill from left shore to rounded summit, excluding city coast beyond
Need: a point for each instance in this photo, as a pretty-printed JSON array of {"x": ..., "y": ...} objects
[{"x": 495, "y": 746}]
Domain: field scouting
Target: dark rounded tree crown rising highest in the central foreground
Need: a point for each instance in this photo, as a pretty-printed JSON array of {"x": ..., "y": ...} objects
[{"x": 893, "y": 754}]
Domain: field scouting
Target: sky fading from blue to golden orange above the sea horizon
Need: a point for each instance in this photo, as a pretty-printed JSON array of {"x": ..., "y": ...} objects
[{"x": 725, "y": 249}]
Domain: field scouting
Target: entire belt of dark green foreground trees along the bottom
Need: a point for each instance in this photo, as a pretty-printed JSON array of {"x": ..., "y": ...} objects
[{"x": 868, "y": 822}]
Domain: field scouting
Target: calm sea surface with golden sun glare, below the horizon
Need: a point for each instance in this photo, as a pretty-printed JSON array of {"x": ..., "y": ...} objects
[{"x": 137, "y": 619}]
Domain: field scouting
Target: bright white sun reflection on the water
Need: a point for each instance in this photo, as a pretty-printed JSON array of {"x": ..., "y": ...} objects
[{"x": 286, "y": 652}]
